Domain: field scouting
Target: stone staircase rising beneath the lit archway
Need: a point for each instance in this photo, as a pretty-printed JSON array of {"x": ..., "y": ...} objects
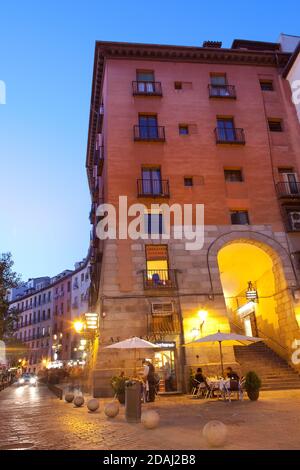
[{"x": 275, "y": 373}]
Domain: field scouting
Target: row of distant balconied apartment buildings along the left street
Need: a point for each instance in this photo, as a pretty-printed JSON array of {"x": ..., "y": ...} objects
[{"x": 47, "y": 310}]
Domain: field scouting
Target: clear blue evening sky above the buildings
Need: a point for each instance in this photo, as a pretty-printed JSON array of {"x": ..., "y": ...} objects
[{"x": 46, "y": 60}]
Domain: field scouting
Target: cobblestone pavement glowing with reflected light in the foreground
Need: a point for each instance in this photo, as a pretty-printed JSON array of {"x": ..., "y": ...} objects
[{"x": 33, "y": 418}]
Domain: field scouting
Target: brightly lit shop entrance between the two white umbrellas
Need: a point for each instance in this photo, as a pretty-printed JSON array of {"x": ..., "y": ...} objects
[{"x": 165, "y": 363}]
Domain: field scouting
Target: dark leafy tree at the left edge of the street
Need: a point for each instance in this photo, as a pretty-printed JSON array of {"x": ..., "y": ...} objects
[{"x": 8, "y": 280}]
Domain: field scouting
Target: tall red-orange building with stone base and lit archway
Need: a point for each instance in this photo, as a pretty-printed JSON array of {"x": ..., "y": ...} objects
[{"x": 195, "y": 125}]
